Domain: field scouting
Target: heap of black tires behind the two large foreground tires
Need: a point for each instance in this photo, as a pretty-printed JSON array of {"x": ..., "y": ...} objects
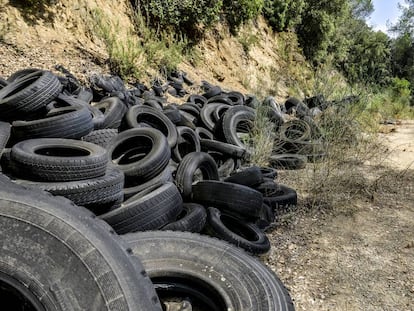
[{"x": 139, "y": 163}]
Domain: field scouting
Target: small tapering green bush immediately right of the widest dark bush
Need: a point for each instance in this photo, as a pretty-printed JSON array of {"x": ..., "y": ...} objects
[{"x": 240, "y": 11}]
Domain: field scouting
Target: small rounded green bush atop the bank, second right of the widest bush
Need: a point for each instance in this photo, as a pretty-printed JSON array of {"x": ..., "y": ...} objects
[{"x": 283, "y": 14}]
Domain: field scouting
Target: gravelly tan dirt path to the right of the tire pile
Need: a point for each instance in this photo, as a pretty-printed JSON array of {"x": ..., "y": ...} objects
[{"x": 359, "y": 257}]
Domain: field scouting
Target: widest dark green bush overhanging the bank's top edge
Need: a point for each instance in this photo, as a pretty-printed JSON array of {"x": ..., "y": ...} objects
[{"x": 186, "y": 16}]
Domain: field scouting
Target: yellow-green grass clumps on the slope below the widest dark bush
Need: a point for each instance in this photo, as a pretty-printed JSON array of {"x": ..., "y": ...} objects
[{"x": 139, "y": 51}]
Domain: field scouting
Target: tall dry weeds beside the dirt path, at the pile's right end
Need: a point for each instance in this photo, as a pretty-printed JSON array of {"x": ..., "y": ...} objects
[{"x": 340, "y": 177}]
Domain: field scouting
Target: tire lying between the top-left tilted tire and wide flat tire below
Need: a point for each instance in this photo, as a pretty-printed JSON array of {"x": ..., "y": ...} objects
[{"x": 68, "y": 122}]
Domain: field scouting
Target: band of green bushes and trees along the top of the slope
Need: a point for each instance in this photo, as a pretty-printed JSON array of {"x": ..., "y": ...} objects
[{"x": 331, "y": 34}]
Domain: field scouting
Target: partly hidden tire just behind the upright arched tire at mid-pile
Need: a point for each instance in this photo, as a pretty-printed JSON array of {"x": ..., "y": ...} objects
[{"x": 187, "y": 142}]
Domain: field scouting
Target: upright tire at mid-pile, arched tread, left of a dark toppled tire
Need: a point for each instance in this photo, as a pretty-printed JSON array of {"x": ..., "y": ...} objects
[{"x": 187, "y": 169}]
